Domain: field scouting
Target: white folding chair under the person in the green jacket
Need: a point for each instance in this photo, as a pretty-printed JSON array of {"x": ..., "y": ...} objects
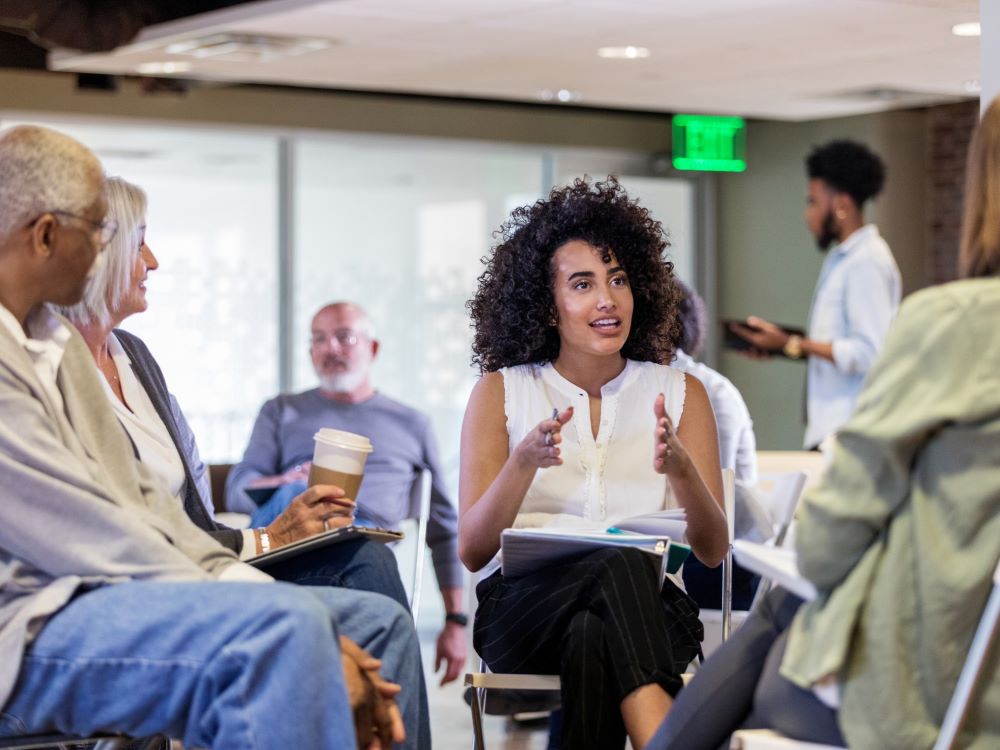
[{"x": 969, "y": 680}]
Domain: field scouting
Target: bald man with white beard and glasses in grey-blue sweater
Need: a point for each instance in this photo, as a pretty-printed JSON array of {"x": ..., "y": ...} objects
[{"x": 343, "y": 347}]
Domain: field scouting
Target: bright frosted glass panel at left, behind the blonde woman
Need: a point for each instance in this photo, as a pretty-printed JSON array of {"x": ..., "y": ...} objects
[{"x": 212, "y": 321}]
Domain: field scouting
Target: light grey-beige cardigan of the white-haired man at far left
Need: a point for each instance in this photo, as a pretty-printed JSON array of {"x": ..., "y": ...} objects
[{"x": 78, "y": 509}]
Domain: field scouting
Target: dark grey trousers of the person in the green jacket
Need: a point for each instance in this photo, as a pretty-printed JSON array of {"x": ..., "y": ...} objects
[{"x": 739, "y": 687}]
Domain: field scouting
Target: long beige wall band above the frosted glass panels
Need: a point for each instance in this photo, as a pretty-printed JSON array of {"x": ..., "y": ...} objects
[{"x": 323, "y": 110}]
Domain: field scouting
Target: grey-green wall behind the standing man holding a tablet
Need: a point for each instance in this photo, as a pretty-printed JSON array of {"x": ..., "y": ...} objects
[{"x": 768, "y": 261}]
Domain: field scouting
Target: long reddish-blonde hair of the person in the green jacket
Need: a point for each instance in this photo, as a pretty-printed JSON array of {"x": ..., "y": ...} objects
[{"x": 979, "y": 254}]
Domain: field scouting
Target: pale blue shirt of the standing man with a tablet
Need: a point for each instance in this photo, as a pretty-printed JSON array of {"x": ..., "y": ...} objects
[{"x": 856, "y": 298}]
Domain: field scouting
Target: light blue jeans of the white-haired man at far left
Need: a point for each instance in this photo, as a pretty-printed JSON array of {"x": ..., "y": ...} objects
[{"x": 239, "y": 666}]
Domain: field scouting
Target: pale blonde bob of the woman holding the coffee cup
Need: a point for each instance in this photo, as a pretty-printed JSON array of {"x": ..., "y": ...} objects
[{"x": 111, "y": 278}]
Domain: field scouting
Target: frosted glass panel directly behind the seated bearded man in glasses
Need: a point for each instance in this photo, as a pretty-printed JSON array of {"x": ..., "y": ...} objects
[{"x": 400, "y": 228}]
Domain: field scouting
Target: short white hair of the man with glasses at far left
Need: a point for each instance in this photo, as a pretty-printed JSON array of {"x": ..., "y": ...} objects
[{"x": 43, "y": 170}]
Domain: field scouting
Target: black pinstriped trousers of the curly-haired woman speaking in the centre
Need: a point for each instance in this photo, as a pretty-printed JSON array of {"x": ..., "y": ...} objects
[{"x": 602, "y": 624}]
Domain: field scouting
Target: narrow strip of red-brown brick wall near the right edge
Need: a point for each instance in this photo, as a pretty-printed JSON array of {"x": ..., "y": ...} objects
[{"x": 949, "y": 129}]
